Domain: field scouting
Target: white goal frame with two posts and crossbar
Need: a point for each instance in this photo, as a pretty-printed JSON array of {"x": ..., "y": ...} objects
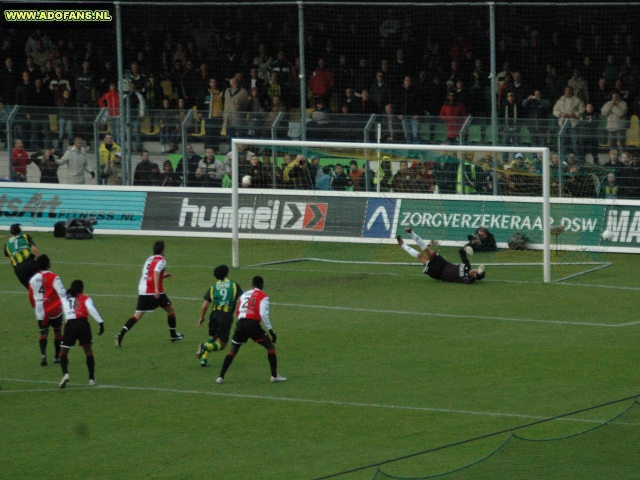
[{"x": 546, "y": 189}]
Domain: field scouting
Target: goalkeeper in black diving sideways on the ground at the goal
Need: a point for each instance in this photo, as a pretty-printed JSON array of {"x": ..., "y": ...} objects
[{"x": 438, "y": 268}]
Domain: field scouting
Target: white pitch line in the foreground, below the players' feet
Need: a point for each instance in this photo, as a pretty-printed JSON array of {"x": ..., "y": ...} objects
[{"x": 289, "y": 400}]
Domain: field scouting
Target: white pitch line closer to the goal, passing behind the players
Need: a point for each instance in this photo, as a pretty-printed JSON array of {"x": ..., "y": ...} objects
[{"x": 399, "y": 312}]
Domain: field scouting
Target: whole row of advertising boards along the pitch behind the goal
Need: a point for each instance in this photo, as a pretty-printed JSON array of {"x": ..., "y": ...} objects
[{"x": 370, "y": 219}]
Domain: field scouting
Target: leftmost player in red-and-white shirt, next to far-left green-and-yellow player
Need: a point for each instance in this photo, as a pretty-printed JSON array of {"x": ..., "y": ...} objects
[{"x": 45, "y": 294}]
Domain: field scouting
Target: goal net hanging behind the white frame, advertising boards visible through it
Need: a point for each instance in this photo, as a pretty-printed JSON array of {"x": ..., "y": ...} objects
[{"x": 347, "y": 203}]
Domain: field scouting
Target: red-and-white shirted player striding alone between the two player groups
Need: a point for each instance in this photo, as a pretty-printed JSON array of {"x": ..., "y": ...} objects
[{"x": 151, "y": 294}]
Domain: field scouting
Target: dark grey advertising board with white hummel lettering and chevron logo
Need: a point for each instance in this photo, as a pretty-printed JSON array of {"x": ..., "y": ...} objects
[{"x": 258, "y": 213}]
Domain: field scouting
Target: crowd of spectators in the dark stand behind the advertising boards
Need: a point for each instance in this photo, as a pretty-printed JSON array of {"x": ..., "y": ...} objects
[{"x": 584, "y": 78}]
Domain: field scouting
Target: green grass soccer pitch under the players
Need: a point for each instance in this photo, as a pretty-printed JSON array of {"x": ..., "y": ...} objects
[{"x": 382, "y": 362}]
